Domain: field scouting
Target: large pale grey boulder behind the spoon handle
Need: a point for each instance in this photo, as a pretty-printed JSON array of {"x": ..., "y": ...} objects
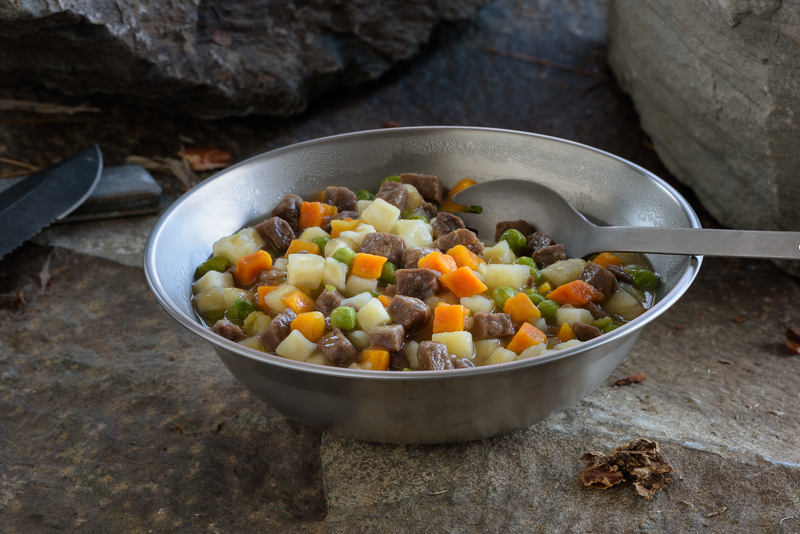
[{"x": 716, "y": 86}]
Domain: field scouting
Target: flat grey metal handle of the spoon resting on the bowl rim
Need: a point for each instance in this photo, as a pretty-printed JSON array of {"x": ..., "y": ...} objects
[{"x": 698, "y": 241}]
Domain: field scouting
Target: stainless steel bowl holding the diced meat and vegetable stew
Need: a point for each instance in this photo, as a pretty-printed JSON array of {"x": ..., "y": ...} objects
[{"x": 418, "y": 406}]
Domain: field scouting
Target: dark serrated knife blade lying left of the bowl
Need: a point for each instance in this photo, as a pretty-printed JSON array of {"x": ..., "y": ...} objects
[{"x": 33, "y": 204}]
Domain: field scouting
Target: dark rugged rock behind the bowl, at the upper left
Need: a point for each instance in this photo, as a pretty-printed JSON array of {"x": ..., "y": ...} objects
[{"x": 214, "y": 58}]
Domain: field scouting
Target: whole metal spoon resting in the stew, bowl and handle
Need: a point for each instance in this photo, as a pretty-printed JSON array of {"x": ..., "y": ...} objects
[{"x": 549, "y": 212}]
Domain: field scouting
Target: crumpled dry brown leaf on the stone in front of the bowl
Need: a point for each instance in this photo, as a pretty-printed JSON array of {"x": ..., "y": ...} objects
[{"x": 640, "y": 461}]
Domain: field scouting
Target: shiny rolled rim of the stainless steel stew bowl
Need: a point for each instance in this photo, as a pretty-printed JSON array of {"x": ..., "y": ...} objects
[{"x": 194, "y": 326}]
